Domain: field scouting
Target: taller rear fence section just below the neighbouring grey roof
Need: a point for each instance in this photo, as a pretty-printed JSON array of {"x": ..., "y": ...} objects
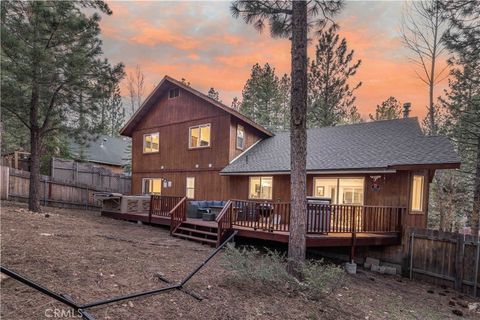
[{"x": 91, "y": 175}]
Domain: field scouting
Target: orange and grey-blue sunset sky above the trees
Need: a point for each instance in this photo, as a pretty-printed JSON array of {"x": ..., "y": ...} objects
[{"x": 201, "y": 42}]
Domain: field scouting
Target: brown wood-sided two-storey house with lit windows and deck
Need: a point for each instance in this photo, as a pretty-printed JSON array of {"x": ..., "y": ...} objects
[{"x": 372, "y": 178}]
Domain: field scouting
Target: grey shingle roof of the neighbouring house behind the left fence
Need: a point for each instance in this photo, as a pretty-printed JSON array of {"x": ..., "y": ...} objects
[{"x": 105, "y": 149}]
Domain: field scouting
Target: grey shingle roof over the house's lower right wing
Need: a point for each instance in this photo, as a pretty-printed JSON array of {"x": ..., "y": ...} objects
[{"x": 371, "y": 145}]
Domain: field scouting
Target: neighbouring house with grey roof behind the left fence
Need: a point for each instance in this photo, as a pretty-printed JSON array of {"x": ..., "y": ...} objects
[{"x": 105, "y": 151}]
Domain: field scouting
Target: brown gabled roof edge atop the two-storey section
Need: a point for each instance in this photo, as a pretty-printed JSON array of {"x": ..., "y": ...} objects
[{"x": 162, "y": 87}]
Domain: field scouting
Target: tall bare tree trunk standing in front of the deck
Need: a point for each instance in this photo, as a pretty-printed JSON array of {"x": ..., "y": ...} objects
[{"x": 298, "y": 140}]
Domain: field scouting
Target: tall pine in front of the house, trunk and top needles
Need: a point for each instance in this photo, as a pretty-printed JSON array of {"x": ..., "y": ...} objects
[{"x": 292, "y": 19}]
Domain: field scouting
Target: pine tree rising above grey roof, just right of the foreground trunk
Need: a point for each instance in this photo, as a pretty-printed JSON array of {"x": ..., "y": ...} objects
[{"x": 331, "y": 97}]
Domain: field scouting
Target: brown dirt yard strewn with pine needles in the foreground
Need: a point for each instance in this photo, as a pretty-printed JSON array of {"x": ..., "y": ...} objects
[{"x": 91, "y": 257}]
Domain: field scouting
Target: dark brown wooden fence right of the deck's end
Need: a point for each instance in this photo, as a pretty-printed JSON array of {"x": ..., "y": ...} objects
[{"x": 445, "y": 258}]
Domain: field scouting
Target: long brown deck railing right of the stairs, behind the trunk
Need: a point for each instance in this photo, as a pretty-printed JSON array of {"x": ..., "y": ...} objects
[{"x": 321, "y": 218}]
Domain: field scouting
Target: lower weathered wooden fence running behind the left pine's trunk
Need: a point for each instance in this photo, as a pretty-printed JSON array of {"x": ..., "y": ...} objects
[{"x": 15, "y": 185}]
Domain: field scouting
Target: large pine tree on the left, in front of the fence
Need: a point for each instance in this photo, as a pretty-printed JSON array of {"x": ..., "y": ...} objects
[{"x": 52, "y": 69}]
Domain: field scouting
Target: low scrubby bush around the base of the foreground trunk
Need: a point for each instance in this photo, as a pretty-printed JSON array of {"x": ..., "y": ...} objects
[{"x": 251, "y": 267}]
